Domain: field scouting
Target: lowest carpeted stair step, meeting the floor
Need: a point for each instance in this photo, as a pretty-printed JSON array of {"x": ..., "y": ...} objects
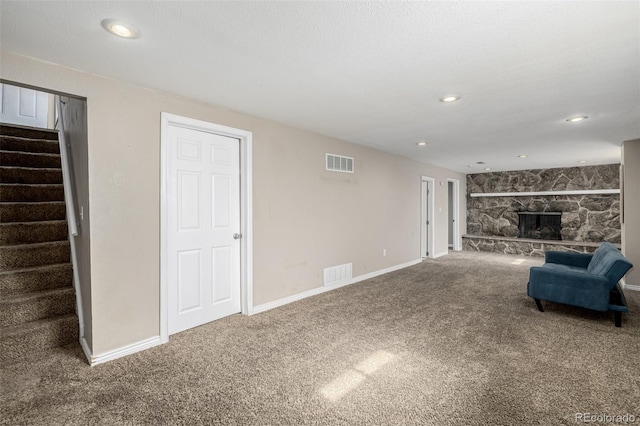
[{"x": 26, "y": 340}]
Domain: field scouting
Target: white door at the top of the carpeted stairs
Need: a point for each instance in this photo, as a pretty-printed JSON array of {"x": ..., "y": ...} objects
[{"x": 27, "y": 107}]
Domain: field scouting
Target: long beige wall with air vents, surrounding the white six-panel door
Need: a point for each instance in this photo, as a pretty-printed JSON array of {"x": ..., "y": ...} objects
[{"x": 305, "y": 218}]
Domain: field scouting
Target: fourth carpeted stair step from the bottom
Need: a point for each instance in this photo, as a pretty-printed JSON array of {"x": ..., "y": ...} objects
[{"x": 30, "y": 255}]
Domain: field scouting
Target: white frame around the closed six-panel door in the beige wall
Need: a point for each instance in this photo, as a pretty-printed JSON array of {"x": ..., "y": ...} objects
[{"x": 246, "y": 210}]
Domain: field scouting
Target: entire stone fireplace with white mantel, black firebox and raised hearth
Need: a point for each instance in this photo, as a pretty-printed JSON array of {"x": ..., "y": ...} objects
[{"x": 530, "y": 211}]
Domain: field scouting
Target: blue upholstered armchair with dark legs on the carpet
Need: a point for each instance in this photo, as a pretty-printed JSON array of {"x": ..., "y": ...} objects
[{"x": 586, "y": 280}]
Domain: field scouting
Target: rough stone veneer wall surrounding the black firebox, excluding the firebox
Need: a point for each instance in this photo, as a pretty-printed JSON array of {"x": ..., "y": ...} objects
[{"x": 585, "y": 218}]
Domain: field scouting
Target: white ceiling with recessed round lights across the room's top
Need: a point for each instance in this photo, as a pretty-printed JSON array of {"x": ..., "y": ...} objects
[{"x": 372, "y": 72}]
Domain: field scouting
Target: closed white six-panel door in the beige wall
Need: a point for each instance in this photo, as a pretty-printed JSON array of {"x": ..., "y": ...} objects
[{"x": 203, "y": 218}]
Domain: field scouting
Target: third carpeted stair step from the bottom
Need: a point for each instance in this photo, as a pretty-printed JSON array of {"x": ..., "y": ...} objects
[{"x": 36, "y": 279}]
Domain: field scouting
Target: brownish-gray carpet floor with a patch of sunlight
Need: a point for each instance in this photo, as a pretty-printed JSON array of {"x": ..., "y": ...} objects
[{"x": 451, "y": 341}]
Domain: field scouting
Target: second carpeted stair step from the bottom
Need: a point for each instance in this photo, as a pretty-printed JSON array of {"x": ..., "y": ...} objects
[{"x": 20, "y": 309}]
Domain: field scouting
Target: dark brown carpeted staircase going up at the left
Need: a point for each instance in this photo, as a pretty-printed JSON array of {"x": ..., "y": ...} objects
[{"x": 37, "y": 301}]
